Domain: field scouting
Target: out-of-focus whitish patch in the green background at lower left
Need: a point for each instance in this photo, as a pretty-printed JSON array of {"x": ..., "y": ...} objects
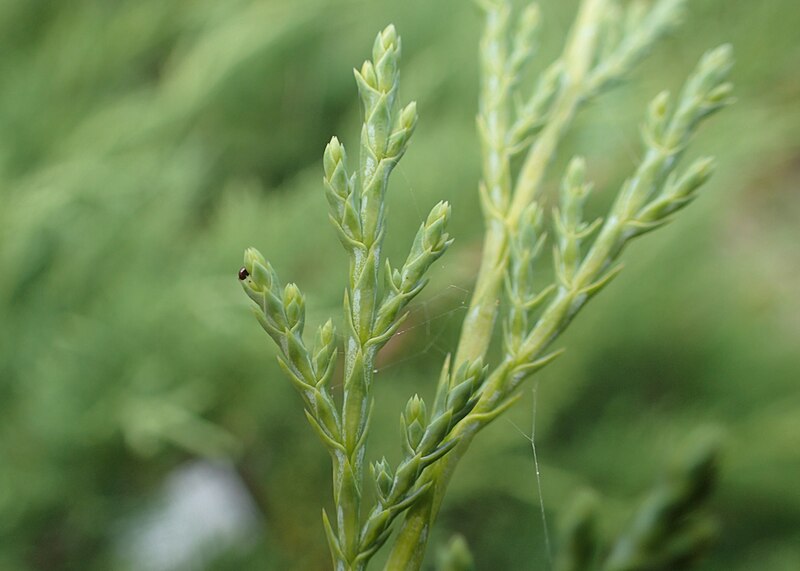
[{"x": 203, "y": 510}]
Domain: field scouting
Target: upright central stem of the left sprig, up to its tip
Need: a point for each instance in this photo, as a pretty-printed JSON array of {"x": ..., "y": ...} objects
[{"x": 378, "y": 82}]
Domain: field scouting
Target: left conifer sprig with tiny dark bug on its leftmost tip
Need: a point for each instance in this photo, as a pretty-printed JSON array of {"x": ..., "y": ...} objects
[{"x": 373, "y": 309}]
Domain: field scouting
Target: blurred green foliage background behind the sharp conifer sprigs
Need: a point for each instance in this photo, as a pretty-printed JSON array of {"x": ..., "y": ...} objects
[{"x": 145, "y": 143}]
